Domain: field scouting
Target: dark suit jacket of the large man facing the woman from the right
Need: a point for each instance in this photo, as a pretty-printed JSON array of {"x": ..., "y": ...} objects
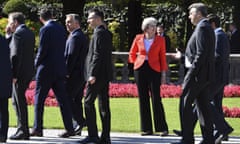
[{"x": 200, "y": 52}]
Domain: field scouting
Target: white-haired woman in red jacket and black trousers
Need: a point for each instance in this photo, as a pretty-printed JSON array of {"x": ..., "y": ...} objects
[{"x": 147, "y": 54}]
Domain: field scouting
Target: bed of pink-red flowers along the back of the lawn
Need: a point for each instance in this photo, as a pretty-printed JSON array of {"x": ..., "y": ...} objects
[{"x": 130, "y": 90}]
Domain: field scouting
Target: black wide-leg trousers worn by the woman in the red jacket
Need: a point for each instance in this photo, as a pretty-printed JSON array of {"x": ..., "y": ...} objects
[{"x": 148, "y": 81}]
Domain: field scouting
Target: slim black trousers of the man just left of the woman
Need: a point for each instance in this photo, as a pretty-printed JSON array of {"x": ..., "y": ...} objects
[{"x": 99, "y": 89}]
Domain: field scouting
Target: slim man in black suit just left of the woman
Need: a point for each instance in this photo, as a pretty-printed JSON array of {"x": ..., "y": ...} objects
[{"x": 99, "y": 73}]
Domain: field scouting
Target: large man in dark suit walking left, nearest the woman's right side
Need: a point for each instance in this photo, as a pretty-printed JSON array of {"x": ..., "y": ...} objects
[{"x": 199, "y": 59}]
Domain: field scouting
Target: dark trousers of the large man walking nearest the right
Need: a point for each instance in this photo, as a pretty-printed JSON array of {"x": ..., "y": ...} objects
[{"x": 198, "y": 94}]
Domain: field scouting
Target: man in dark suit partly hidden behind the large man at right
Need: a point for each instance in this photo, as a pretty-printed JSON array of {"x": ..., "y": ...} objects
[{"x": 222, "y": 48}]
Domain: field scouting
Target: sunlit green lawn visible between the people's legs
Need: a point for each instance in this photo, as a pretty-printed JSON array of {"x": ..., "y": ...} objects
[{"x": 125, "y": 115}]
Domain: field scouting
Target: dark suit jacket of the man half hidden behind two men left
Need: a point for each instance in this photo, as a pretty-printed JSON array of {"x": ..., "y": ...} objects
[{"x": 75, "y": 55}]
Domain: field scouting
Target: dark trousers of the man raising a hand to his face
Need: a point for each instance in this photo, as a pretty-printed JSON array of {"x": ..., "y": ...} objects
[{"x": 20, "y": 104}]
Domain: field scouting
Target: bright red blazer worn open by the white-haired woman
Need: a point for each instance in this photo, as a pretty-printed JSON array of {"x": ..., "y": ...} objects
[{"x": 156, "y": 54}]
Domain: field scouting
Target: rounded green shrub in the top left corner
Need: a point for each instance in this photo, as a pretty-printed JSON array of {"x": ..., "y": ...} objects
[{"x": 15, "y": 5}]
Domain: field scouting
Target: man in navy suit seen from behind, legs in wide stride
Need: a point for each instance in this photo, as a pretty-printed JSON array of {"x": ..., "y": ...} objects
[{"x": 51, "y": 73}]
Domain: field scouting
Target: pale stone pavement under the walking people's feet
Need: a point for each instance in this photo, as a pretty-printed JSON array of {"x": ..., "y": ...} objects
[{"x": 51, "y": 137}]
